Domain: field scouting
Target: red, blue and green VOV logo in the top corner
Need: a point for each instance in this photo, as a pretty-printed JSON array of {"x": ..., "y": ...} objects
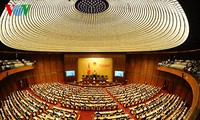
[{"x": 17, "y": 9}]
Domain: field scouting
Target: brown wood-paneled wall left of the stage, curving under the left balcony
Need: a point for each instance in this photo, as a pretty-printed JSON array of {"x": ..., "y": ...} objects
[{"x": 48, "y": 68}]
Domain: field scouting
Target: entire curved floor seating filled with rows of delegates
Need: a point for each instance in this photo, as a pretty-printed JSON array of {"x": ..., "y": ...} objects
[{"x": 23, "y": 105}]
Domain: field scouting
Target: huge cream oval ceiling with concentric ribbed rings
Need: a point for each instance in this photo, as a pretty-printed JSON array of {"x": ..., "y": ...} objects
[{"x": 93, "y": 25}]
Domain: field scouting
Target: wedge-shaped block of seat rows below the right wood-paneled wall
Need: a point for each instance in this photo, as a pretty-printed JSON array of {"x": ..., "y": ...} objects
[{"x": 133, "y": 94}]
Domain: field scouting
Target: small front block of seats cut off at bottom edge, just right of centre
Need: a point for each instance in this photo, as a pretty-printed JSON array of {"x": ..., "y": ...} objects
[{"x": 111, "y": 115}]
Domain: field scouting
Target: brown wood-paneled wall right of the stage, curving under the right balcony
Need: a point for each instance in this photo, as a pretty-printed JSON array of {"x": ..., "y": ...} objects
[{"x": 141, "y": 68}]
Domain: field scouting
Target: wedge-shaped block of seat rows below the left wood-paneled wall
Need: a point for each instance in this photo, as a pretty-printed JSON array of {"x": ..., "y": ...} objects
[{"x": 54, "y": 92}]
